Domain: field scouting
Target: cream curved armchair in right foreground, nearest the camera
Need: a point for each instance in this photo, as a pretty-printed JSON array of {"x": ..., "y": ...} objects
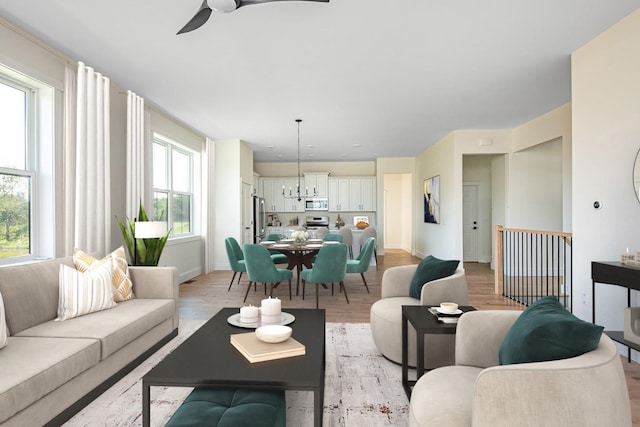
[{"x": 582, "y": 391}]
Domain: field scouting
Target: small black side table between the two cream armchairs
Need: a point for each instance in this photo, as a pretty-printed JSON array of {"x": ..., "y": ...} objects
[{"x": 424, "y": 323}]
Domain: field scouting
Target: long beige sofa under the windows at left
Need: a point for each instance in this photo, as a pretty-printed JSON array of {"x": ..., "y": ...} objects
[{"x": 52, "y": 369}]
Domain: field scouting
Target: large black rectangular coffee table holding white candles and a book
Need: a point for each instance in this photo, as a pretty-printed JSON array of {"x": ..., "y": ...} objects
[{"x": 207, "y": 358}]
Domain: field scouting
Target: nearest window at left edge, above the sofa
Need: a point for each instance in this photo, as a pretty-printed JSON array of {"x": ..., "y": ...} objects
[{"x": 17, "y": 170}]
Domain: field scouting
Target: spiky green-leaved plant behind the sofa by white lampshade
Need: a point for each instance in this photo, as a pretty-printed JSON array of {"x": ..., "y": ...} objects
[{"x": 147, "y": 250}]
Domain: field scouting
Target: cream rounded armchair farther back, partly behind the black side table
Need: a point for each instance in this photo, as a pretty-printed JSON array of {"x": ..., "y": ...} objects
[{"x": 386, "y": 315}]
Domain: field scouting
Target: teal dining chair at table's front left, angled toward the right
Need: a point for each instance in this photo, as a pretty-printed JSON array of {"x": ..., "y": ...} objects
[{"x": 260, "y": 269}]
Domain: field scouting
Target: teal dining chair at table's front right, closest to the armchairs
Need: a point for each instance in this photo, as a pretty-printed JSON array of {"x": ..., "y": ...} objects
[{"x": 330, "y": 266}]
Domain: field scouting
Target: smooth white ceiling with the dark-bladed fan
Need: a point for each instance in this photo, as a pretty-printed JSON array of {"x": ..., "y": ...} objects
[{"x": 391, "y": 76}]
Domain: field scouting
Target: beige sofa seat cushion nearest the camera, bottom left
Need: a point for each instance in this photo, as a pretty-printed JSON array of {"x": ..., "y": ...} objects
[{"x": 38, "y": 367}]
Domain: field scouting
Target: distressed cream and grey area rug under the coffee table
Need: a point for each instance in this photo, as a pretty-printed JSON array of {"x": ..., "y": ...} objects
[{"x": 362, "y": 389}]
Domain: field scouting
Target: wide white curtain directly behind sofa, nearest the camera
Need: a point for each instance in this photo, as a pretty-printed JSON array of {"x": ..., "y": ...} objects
[{"x": 87, "y": 161}]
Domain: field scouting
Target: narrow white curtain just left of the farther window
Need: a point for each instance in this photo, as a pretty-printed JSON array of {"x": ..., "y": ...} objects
[{"x": 135, "y": 154}]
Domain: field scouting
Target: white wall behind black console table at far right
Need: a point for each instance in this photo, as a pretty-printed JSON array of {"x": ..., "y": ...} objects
[{"x": 606, "y": 138}]
